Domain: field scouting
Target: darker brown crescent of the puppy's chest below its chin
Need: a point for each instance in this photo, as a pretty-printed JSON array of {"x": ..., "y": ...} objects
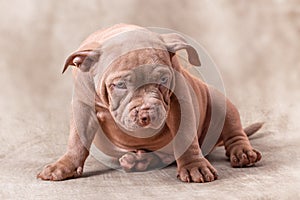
[{"x": 130, "y": 142}]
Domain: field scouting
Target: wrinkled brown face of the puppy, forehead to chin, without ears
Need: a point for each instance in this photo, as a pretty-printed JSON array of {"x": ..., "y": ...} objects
[{"x": 138, "y": 89}]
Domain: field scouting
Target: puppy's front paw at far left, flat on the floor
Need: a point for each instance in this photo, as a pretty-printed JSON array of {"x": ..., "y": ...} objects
[{"x": 60, "y": 170}]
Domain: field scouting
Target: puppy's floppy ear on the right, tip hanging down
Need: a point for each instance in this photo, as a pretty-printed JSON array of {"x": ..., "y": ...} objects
[{"x": 175, "y": 42}]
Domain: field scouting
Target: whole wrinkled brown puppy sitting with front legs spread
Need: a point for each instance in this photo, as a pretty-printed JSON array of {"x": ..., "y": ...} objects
[{"x": 136, "y": 103}]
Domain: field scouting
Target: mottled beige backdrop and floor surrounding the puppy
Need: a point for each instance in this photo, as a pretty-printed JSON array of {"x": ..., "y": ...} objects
[{"x": 255, "y": 44}]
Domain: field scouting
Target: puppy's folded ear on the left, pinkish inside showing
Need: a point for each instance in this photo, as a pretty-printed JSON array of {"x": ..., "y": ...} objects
[{"x": 82, "y": 59}]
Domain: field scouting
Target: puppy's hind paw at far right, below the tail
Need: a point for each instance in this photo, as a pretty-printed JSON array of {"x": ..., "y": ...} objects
[{"x": 241, "y": 156}]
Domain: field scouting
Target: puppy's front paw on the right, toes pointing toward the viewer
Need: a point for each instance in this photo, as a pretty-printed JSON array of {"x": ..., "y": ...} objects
[{"x": 199, "y": 171}]
